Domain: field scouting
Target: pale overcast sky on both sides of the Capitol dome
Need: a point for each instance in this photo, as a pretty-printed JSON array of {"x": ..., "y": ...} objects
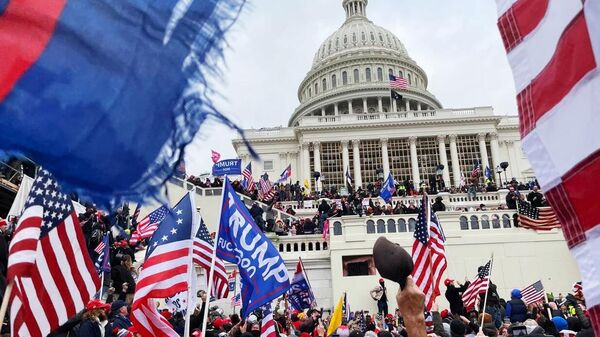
[{"x": 273, "y": 44}]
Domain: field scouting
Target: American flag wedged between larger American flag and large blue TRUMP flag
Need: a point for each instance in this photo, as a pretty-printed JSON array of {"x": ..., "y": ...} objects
[{"x": 203, "y": 253}]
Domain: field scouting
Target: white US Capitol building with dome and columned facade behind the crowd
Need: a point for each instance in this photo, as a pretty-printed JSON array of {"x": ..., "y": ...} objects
[{"x": 346, "y": 119}]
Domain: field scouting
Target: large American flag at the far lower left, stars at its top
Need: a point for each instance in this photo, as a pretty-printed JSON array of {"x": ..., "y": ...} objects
[{"x": 52, "y": 274}]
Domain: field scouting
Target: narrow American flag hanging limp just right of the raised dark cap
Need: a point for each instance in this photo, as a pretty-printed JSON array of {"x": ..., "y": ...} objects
[{"x": 428, "y": 253}]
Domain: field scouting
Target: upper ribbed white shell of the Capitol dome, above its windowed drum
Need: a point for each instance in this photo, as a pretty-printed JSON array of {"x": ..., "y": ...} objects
[{"x": 356, "y": 33}]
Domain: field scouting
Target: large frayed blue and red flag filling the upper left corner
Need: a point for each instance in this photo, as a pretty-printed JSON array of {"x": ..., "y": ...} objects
[{"x": 104, "y": 93}]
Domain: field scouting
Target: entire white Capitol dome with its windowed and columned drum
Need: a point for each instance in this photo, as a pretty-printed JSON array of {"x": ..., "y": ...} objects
[{"x": 349, "y": 74}]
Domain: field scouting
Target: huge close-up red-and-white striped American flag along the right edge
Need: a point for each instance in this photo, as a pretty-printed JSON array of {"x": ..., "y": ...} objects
[{"x": 554, "y": 54}]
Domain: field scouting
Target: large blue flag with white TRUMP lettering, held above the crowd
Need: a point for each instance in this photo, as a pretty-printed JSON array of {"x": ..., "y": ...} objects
[{"x": 263, "y": 273}]
